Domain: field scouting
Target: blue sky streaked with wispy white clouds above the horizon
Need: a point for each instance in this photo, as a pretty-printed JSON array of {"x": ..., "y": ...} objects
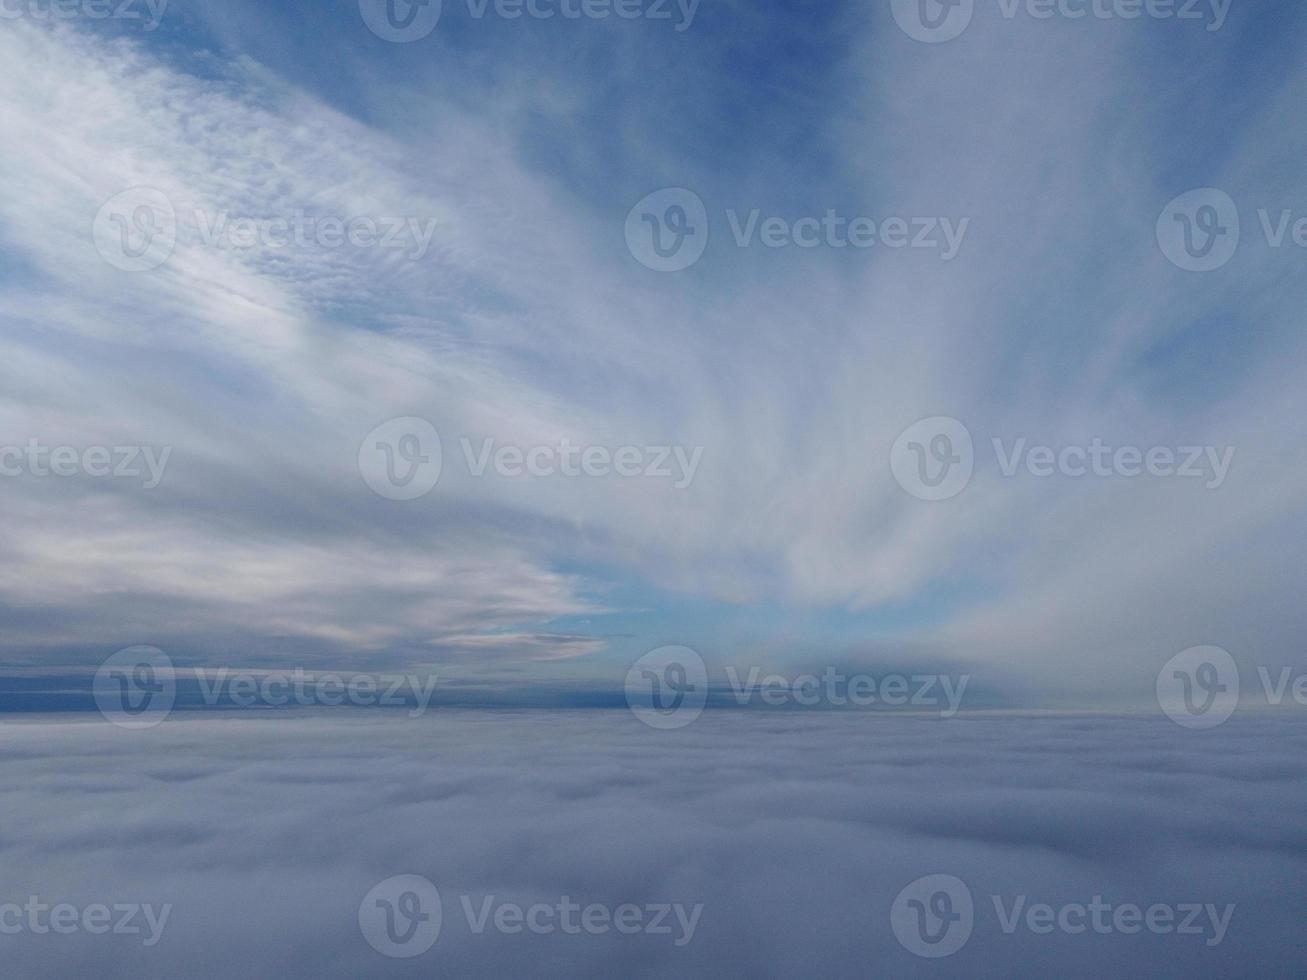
[{"x": 768, "y": 391}]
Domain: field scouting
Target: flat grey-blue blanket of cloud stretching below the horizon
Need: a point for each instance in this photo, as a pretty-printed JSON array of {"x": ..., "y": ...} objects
[{"x": 795, "y": 833}]
